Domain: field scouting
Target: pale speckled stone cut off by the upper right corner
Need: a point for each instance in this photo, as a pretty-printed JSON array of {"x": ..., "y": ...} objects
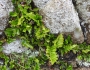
[{"x": 83, "y": 8}]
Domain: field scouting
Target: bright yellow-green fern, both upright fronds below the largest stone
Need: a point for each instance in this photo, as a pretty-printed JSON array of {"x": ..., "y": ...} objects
[{"x": 51, "y": 51}]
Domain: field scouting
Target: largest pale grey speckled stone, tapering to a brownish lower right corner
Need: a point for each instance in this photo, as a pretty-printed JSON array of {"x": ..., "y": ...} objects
[{"x": 60, "y": 17}]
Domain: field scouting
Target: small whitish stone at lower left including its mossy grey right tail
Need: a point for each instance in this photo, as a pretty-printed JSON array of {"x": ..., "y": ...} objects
[{"x": 16, "y": 47}]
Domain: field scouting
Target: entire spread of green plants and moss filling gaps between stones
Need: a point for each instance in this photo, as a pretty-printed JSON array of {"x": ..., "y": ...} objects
[{"x": 26, "y": 24}]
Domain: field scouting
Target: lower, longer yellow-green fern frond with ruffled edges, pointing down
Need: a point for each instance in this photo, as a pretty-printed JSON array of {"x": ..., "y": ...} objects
[{"x": 51, "y": 54}]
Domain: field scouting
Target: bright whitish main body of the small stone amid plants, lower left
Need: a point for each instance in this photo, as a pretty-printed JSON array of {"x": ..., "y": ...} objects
[{"x": 12, "y": 47}]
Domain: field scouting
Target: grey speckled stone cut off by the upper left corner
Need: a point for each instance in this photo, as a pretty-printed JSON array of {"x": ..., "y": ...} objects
[{"x": 5, "y": 7}]
